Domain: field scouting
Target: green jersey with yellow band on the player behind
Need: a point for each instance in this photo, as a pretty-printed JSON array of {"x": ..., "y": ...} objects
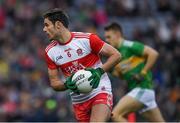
[{"x": 132, "y": 63}]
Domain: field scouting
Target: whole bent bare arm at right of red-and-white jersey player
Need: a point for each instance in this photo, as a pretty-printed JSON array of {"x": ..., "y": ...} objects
[{"x": 113, "y": 54}]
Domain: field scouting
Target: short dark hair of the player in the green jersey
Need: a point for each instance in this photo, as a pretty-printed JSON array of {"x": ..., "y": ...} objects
[{"x": 114, "y": 26}]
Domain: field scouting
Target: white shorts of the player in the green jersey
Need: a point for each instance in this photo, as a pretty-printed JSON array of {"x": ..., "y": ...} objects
[{"x": 145, "y": 96}]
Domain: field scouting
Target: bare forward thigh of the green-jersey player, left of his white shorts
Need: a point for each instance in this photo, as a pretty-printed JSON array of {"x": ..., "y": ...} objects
[{"x": 126, "y": 105}]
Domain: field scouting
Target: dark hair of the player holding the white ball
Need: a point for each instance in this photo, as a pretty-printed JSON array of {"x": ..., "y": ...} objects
[{"x": 57, "y": 15}]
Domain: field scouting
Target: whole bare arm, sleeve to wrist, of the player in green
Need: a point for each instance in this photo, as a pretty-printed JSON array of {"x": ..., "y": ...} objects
[{"x": 151, "y": 57}]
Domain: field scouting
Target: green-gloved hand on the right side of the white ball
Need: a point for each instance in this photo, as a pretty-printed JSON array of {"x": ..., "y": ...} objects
[{"x": 95, "y": 77}]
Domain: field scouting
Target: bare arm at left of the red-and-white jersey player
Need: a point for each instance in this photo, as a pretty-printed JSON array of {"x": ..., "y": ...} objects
[{"x": 55, "y": 82}]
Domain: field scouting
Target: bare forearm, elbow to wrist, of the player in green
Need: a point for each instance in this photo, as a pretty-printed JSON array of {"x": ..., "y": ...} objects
[{"x": 151, "y": 59}]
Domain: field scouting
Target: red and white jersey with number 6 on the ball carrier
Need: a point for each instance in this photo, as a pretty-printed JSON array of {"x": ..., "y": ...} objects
[{"x": 81, "y": 51}]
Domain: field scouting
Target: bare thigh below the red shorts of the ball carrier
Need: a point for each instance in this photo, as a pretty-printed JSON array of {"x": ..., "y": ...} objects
[{"x": 100, "y": 113}]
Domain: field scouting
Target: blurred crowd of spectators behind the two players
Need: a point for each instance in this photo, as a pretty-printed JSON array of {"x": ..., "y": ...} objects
[{"x": 25, "y": 94}]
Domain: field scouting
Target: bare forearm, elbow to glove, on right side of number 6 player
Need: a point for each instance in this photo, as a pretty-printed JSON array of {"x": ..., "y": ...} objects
[{"x": 112, "y": 61}]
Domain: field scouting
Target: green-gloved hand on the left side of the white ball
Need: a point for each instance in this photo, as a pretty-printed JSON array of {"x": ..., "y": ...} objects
[{"x": 69, "y": 84}]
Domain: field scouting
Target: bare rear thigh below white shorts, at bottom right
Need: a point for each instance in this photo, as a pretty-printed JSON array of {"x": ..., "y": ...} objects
[{"x": 153, "y": 115}]
